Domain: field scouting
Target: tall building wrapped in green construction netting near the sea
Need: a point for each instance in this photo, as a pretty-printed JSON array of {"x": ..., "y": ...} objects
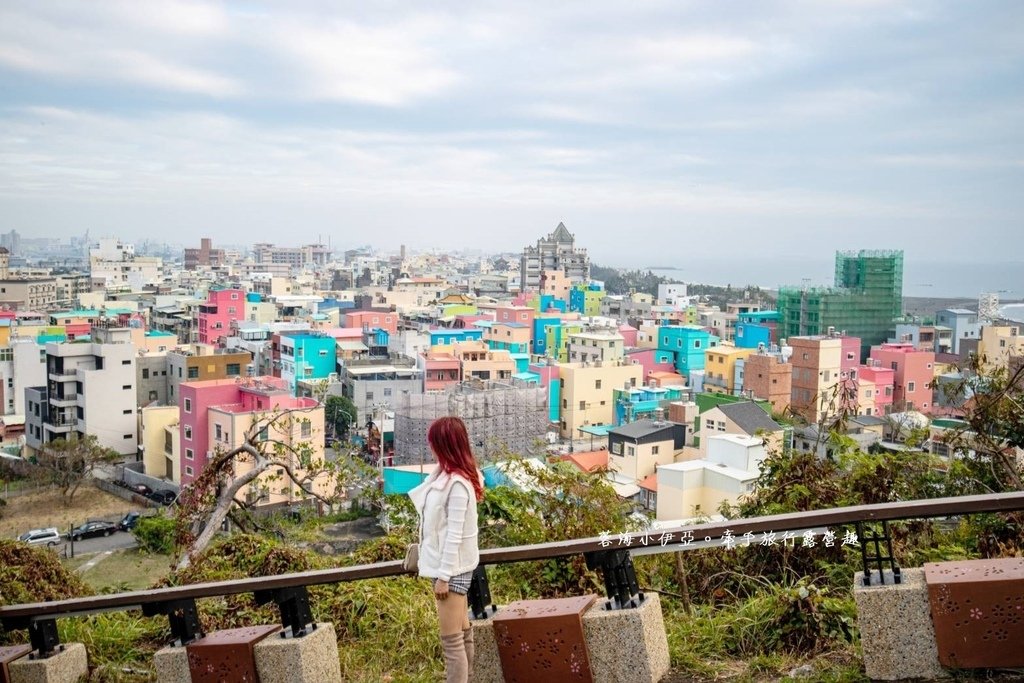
[{"x": 866, "y": 301}]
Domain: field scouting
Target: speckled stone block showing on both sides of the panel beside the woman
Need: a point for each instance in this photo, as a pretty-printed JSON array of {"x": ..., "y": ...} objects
[{"x": 625, "y": 646}]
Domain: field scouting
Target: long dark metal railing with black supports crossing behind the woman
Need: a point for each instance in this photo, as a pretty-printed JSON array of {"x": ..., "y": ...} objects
[{"x": 611, "y": 557}]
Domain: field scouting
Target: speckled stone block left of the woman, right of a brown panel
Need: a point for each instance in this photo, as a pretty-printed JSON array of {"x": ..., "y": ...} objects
[{"x": 313, "y": 659}]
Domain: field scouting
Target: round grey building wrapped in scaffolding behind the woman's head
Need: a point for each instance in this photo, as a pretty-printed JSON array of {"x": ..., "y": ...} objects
[{"x": 500, "y": 417}]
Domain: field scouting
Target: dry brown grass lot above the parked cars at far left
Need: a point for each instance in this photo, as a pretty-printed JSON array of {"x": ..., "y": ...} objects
[{"x": 42, "y": 509}]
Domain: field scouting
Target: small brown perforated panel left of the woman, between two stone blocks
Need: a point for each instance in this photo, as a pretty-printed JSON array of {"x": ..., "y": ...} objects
[{"x": 227, "y": 656}]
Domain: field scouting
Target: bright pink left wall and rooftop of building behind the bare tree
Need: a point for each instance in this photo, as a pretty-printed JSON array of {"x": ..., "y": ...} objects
[{"x": 196, "y": 400}]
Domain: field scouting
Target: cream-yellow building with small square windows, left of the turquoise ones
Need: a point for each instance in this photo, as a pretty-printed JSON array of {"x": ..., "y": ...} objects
[{"x": 586, "y": 393}]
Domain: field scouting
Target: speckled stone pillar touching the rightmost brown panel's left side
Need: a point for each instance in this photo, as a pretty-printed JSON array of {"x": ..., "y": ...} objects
[{"x": 897, "y": 632}]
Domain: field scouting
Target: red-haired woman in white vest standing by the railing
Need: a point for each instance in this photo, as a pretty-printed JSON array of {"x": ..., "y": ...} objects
[{"x": 449, "y": 552}]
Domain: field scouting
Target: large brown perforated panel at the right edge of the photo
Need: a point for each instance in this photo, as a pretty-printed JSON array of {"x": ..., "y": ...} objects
[{"x": 978, "y": 612}]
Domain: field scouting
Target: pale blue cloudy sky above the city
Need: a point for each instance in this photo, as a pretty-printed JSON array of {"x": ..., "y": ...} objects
[{"x": 680, "y": 129}]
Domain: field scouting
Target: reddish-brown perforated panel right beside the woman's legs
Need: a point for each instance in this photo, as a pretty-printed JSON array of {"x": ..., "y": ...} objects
[{"x": 543, "y": 641}]
